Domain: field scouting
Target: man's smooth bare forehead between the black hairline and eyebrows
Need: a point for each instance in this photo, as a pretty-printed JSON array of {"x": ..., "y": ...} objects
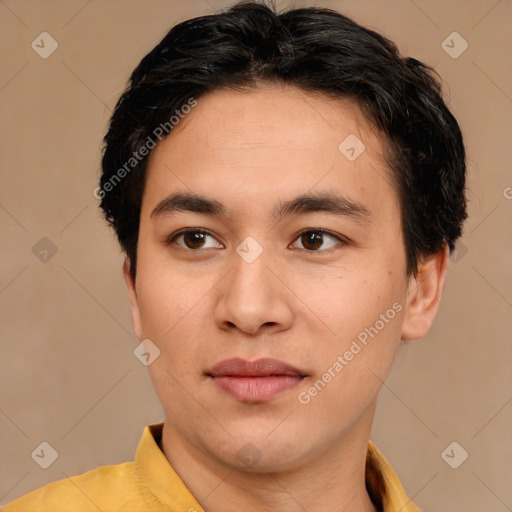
[{"x": 274, "y": 141}]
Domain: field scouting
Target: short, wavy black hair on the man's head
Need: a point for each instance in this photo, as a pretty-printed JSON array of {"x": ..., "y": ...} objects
[{"x": 317, "y": 50}]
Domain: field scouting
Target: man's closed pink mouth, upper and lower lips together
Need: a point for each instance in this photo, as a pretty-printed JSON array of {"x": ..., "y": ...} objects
[{"x": 255, "y": 381}]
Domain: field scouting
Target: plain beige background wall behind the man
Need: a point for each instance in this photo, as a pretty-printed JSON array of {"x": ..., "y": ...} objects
[{"x": 68, "y": 375}]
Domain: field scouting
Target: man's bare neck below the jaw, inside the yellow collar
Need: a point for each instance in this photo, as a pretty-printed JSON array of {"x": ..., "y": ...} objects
[{"x": 334, "y": 479}]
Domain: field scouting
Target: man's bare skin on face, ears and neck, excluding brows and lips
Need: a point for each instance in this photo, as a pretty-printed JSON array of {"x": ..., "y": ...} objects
[{"x": 251, "y": 150}]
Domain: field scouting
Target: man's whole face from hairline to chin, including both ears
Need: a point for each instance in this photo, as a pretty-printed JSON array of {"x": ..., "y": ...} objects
[{"x": 294, "y": 253}]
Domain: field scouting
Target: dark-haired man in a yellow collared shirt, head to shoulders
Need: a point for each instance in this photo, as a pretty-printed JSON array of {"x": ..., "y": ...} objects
[{"x": 287, "y": 190}]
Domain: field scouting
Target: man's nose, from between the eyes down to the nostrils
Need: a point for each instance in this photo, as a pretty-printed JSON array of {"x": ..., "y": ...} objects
[{"x": 254, "y": 298}]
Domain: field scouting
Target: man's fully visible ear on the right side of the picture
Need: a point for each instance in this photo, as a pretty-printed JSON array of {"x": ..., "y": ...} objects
[{"x": 424, "y": 295}]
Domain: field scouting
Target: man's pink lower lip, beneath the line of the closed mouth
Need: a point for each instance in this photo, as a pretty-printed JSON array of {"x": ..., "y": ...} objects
[{"x": 256, "y": 389}]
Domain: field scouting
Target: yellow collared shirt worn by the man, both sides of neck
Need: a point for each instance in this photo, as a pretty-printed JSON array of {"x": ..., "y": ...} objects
[{"x": 150, "y": 484}]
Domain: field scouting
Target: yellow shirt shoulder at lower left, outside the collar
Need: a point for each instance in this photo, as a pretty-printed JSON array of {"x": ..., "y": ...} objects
[{"x": 103, "y": 488}]
